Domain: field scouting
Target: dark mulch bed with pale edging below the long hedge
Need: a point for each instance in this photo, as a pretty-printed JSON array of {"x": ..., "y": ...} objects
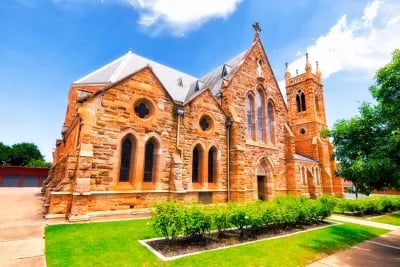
[{"x": 184, "y": 245}]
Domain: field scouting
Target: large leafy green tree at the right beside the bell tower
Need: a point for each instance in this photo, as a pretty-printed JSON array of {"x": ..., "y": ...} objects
[{"x": 367, "y": 146}]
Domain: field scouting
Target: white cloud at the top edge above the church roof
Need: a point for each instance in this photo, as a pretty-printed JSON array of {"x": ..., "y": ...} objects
[{"x": 179, "y": 16}]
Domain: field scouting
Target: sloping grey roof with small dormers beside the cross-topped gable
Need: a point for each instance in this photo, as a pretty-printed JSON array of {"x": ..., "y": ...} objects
[{"x": 214, "y": 79}]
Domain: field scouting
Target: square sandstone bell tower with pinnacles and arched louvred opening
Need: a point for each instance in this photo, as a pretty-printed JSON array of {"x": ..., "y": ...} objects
[{"x": 305, "y": 100}]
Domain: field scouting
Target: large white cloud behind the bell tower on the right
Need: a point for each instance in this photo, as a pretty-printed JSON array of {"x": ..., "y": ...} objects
[{"x": 360, "y": 44}]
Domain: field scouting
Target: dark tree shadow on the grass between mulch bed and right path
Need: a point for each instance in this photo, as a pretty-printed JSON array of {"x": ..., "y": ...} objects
[{"x": 340, "y": 237}]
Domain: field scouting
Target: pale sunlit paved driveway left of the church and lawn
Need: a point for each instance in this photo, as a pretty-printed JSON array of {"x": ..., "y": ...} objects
[{"x": 21, "y": 227}]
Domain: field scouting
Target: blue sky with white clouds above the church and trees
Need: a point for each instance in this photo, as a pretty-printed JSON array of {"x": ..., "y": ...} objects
[{"x": 45, "y": 45}]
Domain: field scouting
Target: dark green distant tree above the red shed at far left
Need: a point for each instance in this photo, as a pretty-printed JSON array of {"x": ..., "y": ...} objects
[{"x": 22, "y": 154}]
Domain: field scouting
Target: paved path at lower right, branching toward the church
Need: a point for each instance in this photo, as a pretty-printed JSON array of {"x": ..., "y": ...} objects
[{"x": 381, "y": 251}]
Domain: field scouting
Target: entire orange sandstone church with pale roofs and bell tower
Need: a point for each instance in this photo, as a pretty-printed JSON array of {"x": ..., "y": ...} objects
[{"x": 136, "y": 132}]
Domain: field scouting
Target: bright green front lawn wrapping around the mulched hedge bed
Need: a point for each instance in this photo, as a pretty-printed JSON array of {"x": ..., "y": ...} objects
[{"x": 116, "y": 244}]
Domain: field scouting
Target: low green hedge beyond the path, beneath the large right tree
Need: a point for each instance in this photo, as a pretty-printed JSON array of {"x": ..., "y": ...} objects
[{"x": 368, "y": 205}]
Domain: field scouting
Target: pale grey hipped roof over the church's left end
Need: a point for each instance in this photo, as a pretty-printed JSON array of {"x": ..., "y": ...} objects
[{"x": 175, "y": 82}]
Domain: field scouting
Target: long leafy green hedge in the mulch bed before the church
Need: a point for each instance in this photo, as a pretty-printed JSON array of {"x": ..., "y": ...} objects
[{"x": 171, "y": 219}]
